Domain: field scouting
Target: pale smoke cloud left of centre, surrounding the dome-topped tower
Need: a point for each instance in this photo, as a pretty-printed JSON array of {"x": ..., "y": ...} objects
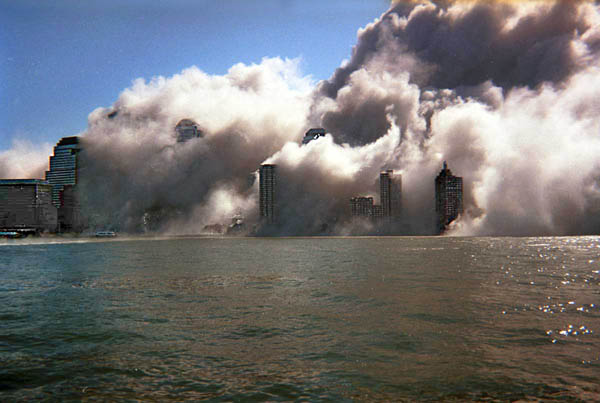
[{"x": 136, "y": 176}]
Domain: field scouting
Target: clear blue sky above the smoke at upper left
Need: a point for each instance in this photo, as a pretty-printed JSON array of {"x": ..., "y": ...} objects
[{"x": 60, "y": 60}]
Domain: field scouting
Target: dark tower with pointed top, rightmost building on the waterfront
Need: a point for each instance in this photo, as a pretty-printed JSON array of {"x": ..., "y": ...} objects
[{"x": 448, "y": 197}]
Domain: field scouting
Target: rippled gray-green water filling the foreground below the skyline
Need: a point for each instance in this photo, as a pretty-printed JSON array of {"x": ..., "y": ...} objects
[{"x": 367, "y": 319}]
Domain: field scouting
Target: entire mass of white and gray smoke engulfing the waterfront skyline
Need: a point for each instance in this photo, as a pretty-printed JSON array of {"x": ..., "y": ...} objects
[{"x": 506, "y": 92}]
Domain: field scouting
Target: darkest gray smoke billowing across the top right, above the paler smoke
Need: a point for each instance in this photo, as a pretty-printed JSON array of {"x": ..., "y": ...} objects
[{"x": 461, "y": 47}]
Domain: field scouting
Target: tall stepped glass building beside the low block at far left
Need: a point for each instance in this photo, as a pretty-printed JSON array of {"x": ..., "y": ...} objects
[{"x": 63, "y": 166}]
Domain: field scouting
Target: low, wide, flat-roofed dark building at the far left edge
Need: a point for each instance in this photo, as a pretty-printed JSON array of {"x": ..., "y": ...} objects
[{"x": 26, "y": 206}]
